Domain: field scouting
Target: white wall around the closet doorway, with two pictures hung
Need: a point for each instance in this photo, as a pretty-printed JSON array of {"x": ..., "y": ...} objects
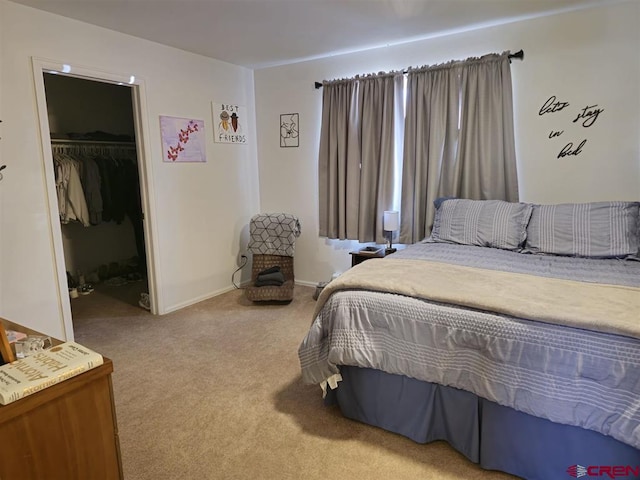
[{"x": 198, "y": 212}]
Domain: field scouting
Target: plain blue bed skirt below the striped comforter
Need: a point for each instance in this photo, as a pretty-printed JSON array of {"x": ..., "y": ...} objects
[{"x": 493, "y": 436}]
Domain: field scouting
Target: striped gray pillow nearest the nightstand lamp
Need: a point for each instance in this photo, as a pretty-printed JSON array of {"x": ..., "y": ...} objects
[{"x": 485, "y": 223}]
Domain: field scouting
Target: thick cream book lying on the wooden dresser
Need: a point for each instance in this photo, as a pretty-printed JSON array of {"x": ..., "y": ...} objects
[{"x": 45, "y": 368}]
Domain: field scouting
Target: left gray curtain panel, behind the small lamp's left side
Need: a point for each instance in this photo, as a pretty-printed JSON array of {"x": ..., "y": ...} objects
[{"x": 358, "y": 149}]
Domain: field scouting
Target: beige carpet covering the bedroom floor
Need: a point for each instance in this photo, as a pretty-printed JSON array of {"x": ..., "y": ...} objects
[{"x": 214, "y": 392}]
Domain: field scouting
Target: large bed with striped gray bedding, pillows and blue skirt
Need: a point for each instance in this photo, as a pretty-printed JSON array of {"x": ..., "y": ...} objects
[{"x": 512, "y": 333}]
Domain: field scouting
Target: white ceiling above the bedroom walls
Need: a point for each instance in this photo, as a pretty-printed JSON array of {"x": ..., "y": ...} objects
[{"x": 264, "y": 33}]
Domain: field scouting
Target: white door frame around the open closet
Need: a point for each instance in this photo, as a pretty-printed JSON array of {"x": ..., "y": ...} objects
[{"x": 137, "y": 84}]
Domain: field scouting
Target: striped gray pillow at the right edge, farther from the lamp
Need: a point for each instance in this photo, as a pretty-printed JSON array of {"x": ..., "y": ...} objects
[{"x": 598, "y": 229}]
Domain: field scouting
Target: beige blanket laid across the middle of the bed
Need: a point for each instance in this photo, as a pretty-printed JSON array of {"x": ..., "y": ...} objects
[{"x": 598, "y": 307}]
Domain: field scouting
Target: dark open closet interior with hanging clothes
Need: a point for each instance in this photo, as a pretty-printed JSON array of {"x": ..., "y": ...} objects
[{"x": 98, "y": 191}]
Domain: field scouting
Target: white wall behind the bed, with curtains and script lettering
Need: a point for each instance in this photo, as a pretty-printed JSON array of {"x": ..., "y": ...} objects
[{"x": 584, "y": 58}]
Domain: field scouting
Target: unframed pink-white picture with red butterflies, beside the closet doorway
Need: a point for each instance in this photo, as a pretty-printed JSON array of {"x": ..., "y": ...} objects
[{"x": 183, "y": 140}]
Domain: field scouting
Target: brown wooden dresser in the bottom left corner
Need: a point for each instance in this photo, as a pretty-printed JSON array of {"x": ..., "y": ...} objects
[{"x": 67, "y": 431}]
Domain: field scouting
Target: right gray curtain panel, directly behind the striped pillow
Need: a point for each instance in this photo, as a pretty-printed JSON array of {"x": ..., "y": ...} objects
[{"x": 459, "y": 139}]
